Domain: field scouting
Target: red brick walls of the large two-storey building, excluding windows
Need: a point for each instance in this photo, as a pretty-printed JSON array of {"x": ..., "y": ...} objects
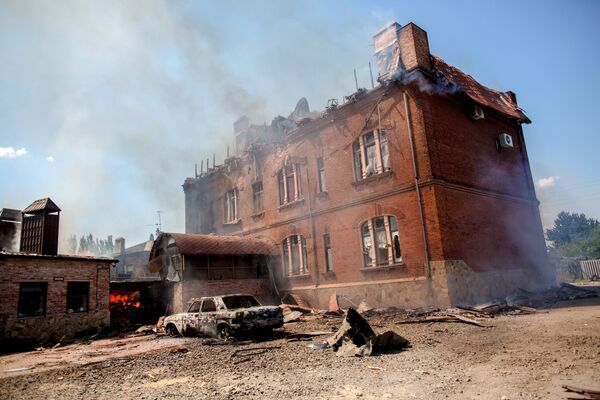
[{"x": 451, "y": 149}]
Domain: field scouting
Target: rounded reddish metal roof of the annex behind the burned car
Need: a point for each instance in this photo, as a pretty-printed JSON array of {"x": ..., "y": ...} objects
[{"x": 195, "y": 244}]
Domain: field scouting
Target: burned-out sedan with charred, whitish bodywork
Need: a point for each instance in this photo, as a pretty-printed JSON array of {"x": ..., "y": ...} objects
[{"x": 224, "y": 316}]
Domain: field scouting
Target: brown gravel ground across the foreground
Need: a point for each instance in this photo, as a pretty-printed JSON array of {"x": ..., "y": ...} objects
[{"x": 517, "y": 357}]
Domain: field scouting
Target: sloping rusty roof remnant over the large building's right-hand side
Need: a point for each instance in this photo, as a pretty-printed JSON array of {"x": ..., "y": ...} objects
[{"x": 499, "y": 101}]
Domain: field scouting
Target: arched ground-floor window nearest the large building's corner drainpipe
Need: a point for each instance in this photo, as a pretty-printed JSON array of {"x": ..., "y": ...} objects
[{"x": 380, "y": 241}]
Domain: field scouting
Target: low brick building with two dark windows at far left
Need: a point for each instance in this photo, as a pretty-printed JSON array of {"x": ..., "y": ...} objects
[{"x": 45, "y": 295}]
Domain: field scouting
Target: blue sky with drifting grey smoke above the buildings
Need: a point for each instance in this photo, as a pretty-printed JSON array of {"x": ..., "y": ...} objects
[{"x": 106, "y": 105}]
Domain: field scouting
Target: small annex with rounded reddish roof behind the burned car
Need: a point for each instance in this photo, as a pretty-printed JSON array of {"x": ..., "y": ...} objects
[{"x": 193, "y": 265}]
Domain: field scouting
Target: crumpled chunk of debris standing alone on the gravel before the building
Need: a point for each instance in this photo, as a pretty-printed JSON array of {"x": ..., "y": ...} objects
[{"x": 355, "y": 337}]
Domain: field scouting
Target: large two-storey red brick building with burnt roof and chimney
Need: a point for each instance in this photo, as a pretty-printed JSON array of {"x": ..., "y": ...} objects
[{"x": 415, "y": 192}]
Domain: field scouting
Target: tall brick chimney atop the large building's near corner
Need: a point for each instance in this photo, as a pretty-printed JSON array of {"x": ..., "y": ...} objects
[{"x": 400, "y": 48}]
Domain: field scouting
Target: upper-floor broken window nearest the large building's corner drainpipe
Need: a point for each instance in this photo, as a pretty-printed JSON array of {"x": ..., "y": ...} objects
[{"x": 371, "y": 154}]
